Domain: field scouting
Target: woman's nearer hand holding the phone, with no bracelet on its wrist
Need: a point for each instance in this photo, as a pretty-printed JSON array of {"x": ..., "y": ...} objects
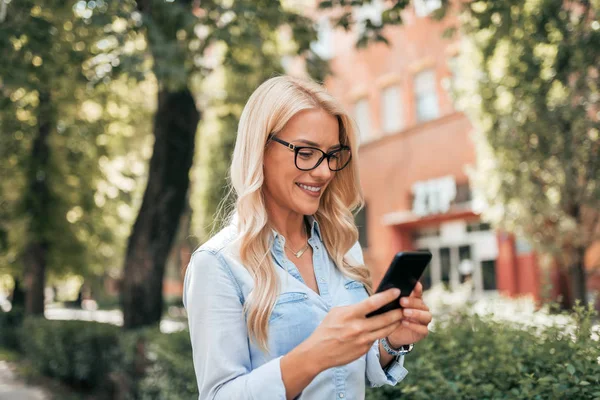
[{"x": 346, "y": 333}]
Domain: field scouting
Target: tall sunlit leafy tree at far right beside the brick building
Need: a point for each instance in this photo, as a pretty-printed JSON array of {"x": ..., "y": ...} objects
[{"x": 532, "y": 91}]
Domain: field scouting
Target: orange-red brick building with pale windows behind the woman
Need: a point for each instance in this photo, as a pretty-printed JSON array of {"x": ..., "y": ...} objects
[{"x": 415, "y": 149}]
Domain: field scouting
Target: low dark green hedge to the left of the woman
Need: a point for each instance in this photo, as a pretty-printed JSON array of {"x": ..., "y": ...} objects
[{"x": 96, "y": 357}]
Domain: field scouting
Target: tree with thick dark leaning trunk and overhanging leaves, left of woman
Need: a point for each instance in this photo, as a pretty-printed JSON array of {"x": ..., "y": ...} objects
[{"x": 183, "y": 40}]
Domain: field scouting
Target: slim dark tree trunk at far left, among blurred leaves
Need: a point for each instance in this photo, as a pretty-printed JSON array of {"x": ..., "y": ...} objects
[{"x": 38, "y": 203}]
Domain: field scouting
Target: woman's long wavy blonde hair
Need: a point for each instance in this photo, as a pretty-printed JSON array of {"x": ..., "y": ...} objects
[{"x": 267, "y": 111}]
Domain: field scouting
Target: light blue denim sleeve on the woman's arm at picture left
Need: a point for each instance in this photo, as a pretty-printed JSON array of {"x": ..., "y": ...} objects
[{"x": 220, "y": 343}]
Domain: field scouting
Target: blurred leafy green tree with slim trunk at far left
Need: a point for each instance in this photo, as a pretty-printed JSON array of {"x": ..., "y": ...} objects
[{"x": 54, "y": 139}]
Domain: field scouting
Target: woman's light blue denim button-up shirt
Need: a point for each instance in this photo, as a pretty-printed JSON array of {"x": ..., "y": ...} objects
[{"x": 228, "y": 365}]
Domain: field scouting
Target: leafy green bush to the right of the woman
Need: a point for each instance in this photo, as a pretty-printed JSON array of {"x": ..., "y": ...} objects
[{"x": 473, "y": 357}]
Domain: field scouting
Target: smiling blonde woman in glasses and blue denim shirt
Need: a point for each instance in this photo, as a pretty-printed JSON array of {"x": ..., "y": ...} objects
[{"x": 277, "y": 300}]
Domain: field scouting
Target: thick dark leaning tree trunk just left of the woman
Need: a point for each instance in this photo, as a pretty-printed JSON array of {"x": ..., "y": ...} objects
[{"x": 164, "y": 201}]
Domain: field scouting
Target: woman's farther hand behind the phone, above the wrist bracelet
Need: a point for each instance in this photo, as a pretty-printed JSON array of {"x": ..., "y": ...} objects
[{"x": 416, "y": 319}]
